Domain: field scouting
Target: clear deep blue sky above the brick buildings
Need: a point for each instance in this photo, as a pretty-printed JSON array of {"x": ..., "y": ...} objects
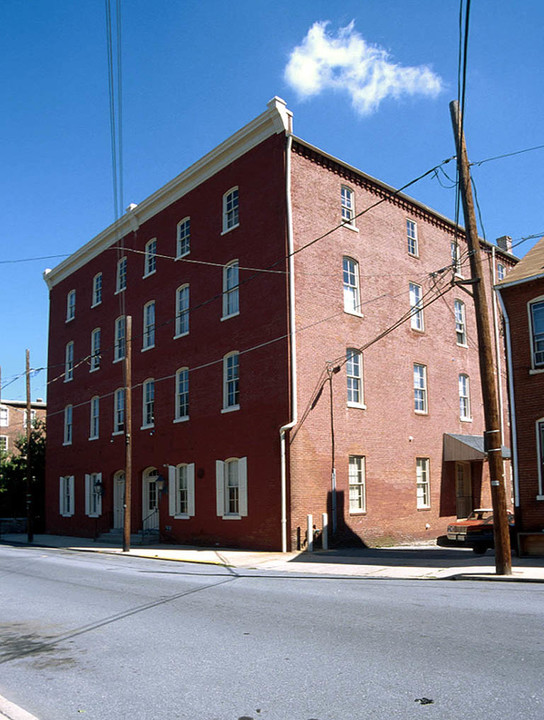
[{"x": 194, "y": 72}]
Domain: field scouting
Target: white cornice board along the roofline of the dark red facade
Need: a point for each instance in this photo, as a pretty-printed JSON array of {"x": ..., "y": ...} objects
[{"x": 274, "y": 120}]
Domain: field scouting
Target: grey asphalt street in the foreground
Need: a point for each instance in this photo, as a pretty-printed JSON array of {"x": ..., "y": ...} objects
[{"x": 102, "y": 636}]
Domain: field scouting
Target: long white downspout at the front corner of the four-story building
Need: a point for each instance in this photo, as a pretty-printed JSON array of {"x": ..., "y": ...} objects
[{"x": 292, "y": 342}]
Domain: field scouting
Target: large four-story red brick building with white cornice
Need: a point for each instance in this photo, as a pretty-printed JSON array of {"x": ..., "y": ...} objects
[{"x": 299, "y": 347}]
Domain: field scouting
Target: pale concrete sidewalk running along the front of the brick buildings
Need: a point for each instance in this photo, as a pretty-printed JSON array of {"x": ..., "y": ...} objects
[{"x": 415, "y": 562}]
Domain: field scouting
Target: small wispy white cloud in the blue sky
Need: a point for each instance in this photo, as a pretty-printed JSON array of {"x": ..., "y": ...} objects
[{"x": 347, "y": 62}]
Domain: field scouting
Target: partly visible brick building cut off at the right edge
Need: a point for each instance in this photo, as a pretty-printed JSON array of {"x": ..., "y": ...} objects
[{"x": 522, "y": 299}]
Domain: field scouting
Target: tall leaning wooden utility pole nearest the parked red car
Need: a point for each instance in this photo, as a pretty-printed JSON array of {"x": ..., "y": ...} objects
[{"x": 493, "y": 436}]
